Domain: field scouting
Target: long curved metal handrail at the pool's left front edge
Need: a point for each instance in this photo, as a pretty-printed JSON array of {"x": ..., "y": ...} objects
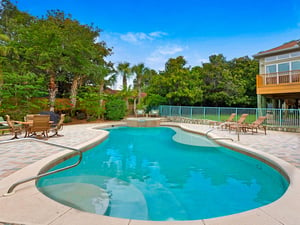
[{"x": 13, "y": 186}]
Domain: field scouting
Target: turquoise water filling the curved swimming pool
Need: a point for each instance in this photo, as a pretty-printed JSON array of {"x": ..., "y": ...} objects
[{"x": 147, "y": 175}]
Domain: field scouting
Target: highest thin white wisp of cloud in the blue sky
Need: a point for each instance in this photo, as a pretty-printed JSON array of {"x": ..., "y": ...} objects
[{"x": 135, "y": 38}]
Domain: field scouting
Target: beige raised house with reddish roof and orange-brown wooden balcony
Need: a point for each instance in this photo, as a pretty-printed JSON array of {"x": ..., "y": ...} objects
[{"x": 278, "y": 82}]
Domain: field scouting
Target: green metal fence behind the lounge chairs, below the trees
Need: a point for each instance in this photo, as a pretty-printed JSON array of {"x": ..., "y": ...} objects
[{"x": 275, "y": 117}]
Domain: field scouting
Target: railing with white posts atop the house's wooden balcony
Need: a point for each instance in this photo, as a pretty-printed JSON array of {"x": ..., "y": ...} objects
[{"x": 281, "y": 77}]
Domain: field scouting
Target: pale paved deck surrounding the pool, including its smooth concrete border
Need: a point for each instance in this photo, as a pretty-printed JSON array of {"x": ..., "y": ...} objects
[{"x": 23, "y": 159}]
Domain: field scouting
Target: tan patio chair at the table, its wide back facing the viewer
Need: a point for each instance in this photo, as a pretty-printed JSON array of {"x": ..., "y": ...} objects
[{"x": 40, "y": 124}]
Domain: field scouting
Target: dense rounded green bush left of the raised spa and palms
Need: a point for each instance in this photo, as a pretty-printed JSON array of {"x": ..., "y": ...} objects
[{"x": 115, "y": 109}]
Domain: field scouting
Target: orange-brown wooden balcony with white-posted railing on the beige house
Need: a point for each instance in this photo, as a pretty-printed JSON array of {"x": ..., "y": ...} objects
[{"x": 278, "y": 83}]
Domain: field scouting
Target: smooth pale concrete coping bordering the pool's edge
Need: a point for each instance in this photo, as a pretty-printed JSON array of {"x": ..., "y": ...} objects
[{"x": 28, "y": 206}]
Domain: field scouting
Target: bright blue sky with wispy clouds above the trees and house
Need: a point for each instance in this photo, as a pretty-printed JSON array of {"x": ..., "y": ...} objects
[{"x": 152, "y": 31}]
